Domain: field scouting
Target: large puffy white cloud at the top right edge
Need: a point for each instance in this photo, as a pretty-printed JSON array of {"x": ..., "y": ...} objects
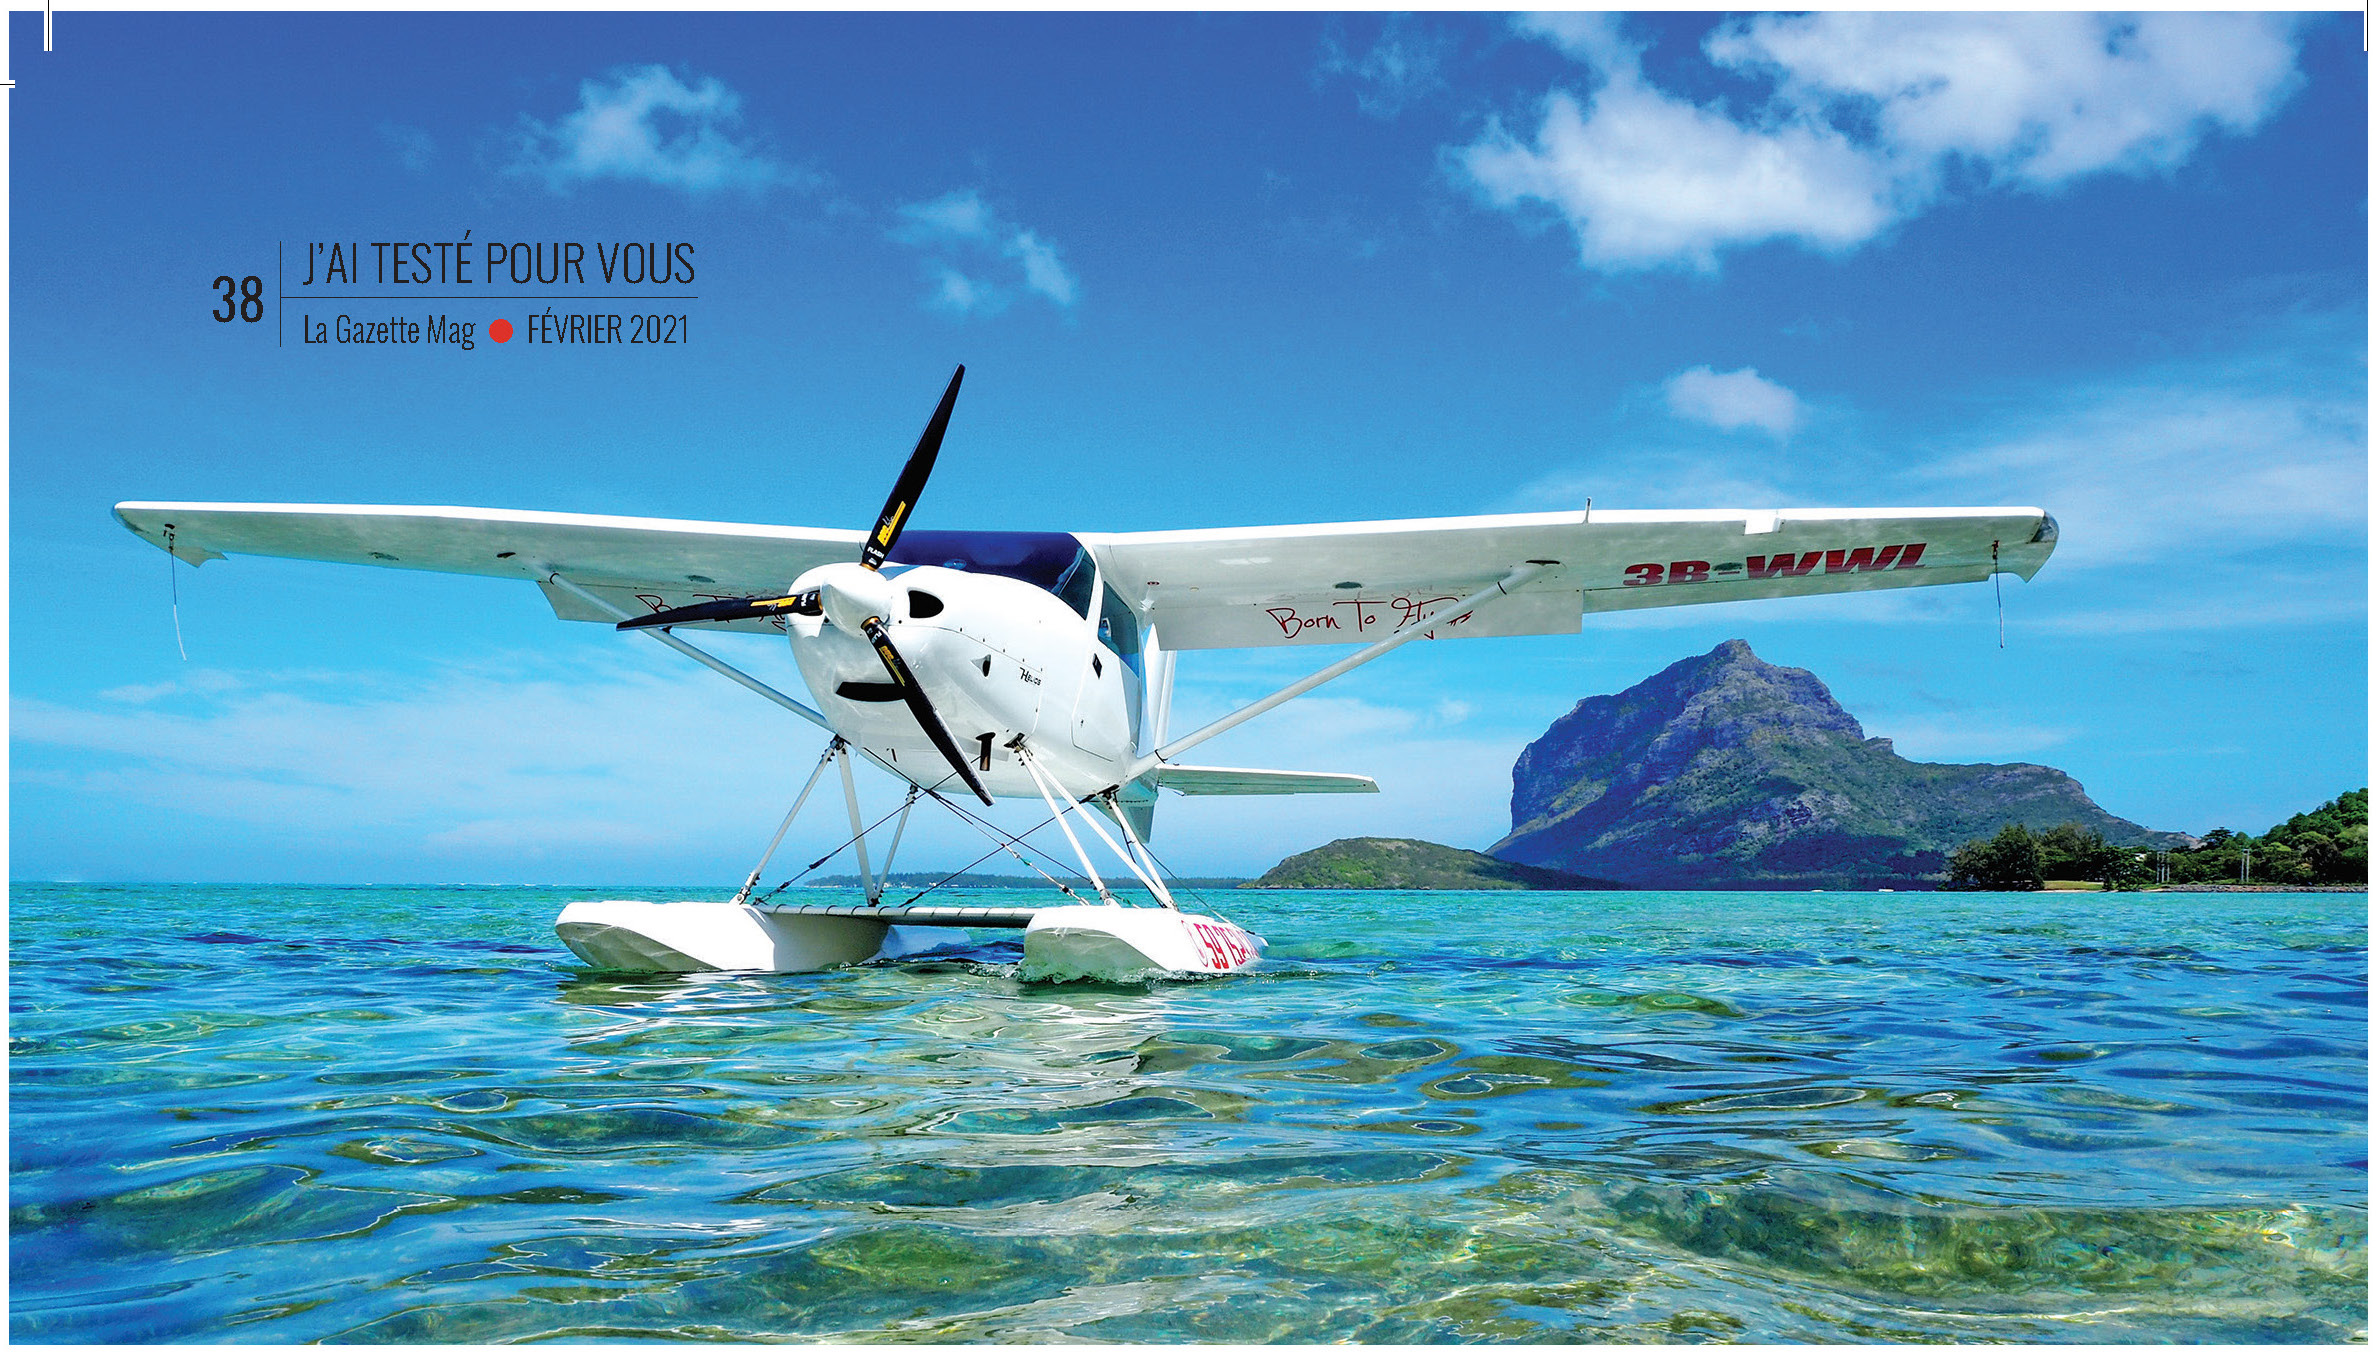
[{"x": 1867, "y": 122}]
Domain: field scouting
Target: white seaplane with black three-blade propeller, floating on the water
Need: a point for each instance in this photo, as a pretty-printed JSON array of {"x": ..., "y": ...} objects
[{"x": 1038, "y": 666}]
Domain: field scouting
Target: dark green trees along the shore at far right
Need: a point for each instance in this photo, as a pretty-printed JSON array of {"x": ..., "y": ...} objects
[{"x": 2331, "y": 844}]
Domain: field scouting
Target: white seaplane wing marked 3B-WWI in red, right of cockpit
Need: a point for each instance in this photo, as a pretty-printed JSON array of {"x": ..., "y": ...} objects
[{"x": 1363, "y": 581}]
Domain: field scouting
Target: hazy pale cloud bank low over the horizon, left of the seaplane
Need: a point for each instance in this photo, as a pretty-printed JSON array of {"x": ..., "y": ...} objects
[{"x": 588, "y": 754}]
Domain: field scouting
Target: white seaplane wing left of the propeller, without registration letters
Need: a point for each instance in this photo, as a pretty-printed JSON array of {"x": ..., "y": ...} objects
[{"x": 636, "y": 564}]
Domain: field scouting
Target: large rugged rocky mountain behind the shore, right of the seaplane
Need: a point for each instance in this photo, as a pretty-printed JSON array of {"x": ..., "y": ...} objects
[{"x": 1732, "y": 773}]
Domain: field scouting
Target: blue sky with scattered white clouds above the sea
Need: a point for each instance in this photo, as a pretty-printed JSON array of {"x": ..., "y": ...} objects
[{"x": 1204, "y": 270}]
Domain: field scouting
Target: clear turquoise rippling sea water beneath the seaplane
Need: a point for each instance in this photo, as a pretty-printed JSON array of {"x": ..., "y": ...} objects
[{"x": 408, "y": 1115}]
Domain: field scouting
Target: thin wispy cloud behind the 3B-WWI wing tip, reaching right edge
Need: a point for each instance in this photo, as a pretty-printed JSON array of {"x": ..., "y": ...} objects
[{"x": 2188, "y": 493}]
